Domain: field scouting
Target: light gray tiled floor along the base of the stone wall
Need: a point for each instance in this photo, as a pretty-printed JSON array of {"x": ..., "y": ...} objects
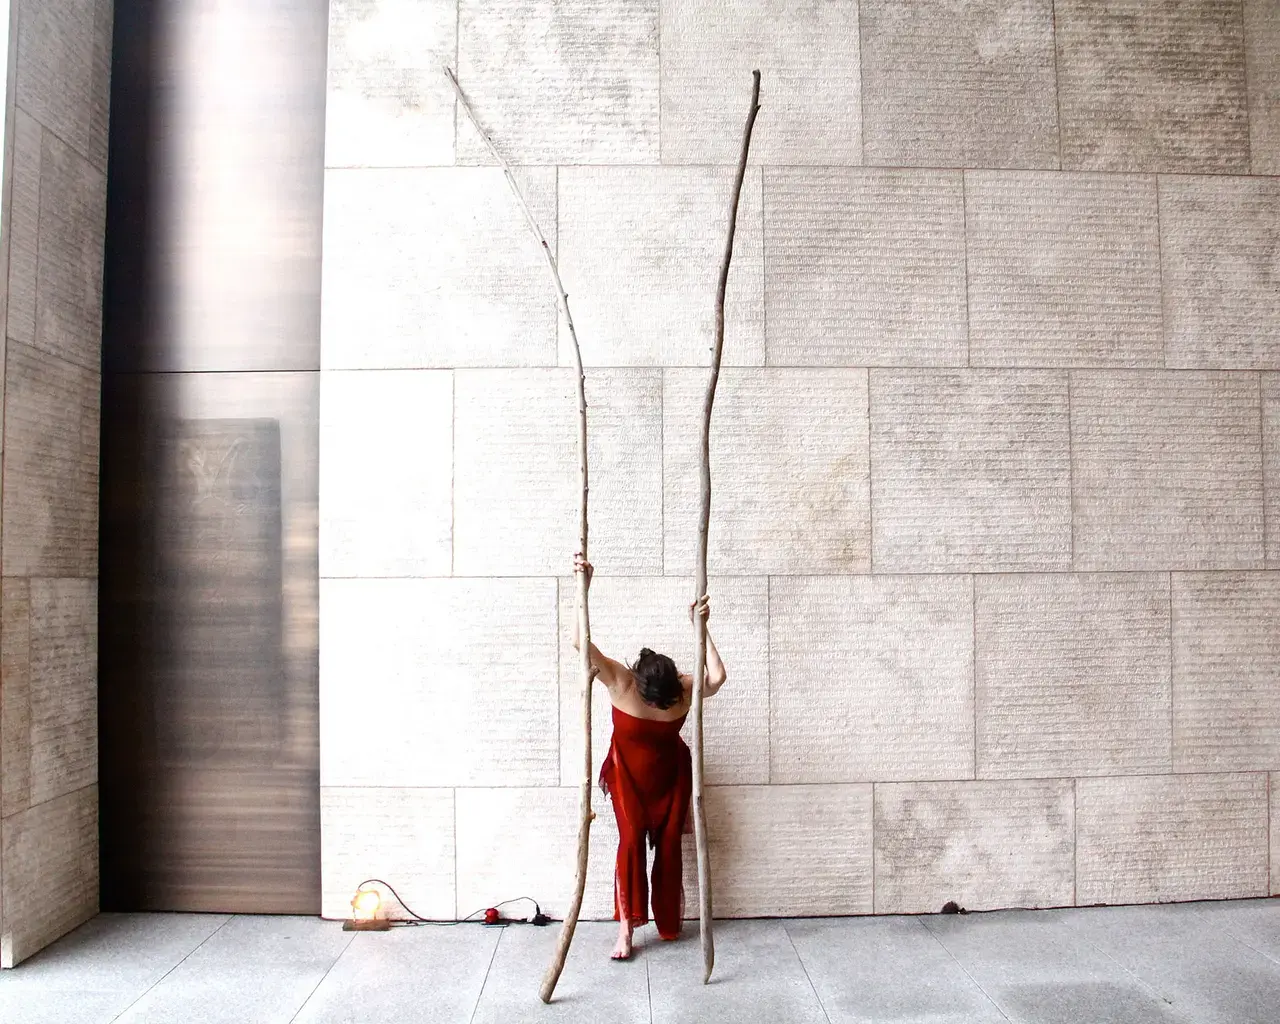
[{"x": 1191, "y": 963}]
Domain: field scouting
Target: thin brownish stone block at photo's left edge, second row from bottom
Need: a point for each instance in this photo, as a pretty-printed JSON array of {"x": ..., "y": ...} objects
[{"x": 15, "y": 697}]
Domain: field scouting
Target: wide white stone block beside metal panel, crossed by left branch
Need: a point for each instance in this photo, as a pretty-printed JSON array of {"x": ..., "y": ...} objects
[{"x": 436, "y": 268}]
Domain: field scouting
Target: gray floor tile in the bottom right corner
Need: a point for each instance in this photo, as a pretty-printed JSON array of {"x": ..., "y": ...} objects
[{"x": 1199, "y": 968}]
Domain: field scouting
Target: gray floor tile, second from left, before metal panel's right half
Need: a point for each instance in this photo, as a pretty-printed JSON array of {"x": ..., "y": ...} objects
[{"x": 253, "y": 971}]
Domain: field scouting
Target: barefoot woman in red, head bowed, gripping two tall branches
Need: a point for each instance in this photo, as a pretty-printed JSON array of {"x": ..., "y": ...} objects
[{"x": 648, "y": 776}]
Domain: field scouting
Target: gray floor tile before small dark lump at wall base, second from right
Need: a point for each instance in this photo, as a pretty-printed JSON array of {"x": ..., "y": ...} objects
[{"x": 1039, "y": 971}]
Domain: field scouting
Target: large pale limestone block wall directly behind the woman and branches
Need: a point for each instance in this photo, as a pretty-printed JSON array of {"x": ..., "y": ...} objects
[{"x": 995, "y": 547}]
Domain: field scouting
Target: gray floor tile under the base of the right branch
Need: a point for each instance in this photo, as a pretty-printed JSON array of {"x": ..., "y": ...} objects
[{"x": 758, "y": 979}]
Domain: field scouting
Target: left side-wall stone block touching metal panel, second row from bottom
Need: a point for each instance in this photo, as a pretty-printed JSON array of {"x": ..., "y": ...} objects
[{"x": 63, "y": 687}]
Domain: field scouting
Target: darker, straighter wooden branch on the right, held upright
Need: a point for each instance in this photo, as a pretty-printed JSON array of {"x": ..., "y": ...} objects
[{"x": 705, "y": 872}]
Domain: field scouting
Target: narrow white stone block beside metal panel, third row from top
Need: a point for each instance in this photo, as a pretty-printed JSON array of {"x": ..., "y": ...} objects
[{"x": 386, "y": 473}]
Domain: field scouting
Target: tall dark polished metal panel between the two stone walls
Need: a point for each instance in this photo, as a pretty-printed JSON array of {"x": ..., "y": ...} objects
[{"x": 209, "y": 696}]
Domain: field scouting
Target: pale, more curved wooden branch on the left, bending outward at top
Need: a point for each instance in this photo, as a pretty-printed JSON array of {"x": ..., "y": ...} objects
[{"x": 584, "y": 620}]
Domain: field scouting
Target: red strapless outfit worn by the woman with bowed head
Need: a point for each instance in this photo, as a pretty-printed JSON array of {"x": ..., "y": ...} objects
[{"x": 650, "y": 776}]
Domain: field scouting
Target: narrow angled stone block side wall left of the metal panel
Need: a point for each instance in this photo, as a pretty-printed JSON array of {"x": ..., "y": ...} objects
[{"x": 54, "y": 220}]
